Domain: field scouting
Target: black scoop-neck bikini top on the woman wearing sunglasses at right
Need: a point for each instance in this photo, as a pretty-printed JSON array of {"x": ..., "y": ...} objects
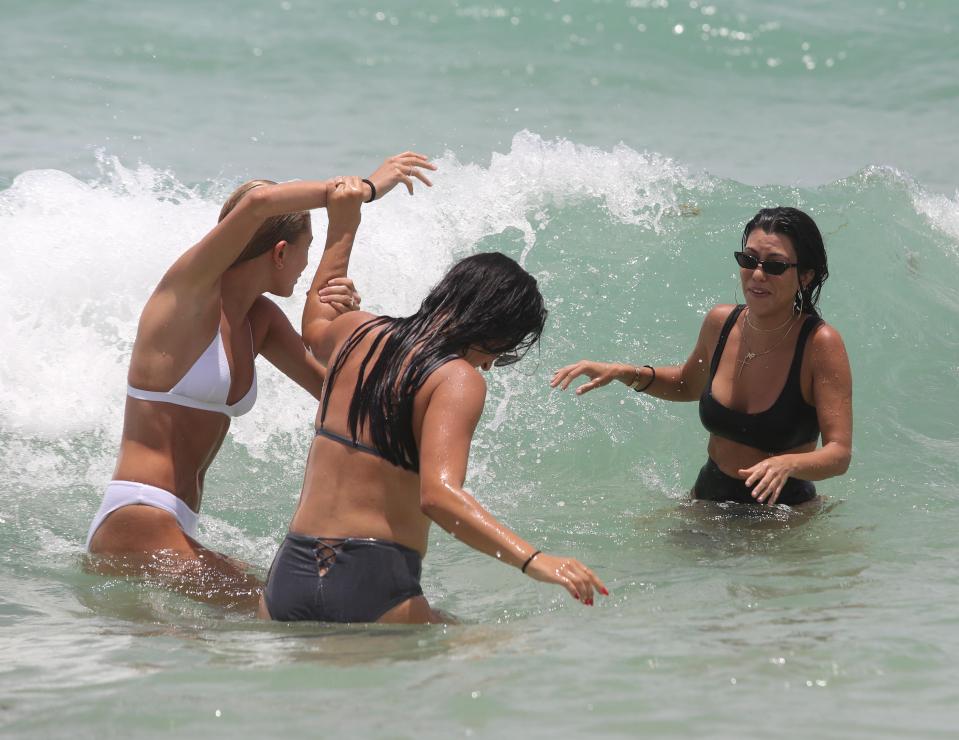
[{"x": 788, "y": 423}]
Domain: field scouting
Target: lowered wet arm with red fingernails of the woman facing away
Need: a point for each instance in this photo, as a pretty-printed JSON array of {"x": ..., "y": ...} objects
[{"x": 448, "y": 425}]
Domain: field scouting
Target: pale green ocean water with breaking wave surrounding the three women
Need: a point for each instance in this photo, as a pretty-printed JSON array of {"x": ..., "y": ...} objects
[{"x": 616, "y": 148}]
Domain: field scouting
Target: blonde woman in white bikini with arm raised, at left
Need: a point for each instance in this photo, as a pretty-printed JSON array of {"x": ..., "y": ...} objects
[{"x": 192, "y": 370}]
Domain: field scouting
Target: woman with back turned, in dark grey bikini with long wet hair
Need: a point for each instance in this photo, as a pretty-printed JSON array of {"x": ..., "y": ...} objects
[{"x": 393, "y": 435}]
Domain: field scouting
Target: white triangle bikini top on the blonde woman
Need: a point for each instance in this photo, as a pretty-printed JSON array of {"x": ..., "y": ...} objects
[{"x": 206, "y": 385}]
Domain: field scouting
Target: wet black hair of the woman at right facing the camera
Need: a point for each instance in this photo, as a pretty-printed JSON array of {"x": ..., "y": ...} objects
[{"x": 806, "y": 240}]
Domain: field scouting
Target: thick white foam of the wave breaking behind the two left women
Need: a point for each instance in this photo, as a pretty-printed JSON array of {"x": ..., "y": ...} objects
[{"x": 82, "y": 257}]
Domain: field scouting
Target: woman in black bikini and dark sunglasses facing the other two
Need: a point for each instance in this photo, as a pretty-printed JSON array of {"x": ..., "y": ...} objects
[{"x": 770, "y": 375}]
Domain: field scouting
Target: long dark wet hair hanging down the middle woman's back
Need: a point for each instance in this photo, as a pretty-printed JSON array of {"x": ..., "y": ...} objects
[{"x": 485, "y": 302}]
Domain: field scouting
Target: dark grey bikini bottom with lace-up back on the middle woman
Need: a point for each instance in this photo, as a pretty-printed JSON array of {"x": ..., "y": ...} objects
[{"x": 325, "y": 579}]
